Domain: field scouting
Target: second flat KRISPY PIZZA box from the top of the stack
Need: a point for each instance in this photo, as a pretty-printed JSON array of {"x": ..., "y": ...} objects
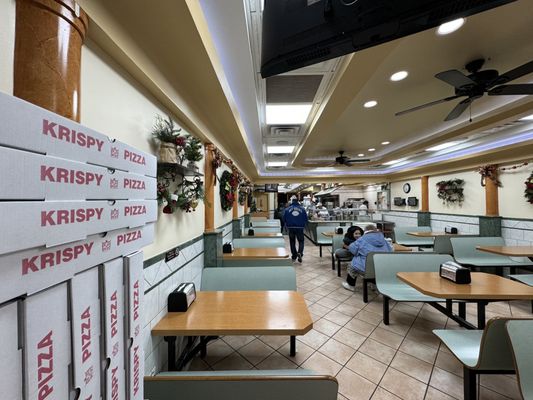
[{"x": 32, "y": 176}]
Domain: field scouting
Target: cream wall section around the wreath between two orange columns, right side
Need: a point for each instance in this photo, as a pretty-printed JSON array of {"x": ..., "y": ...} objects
[{"x": 474, "y": 203}]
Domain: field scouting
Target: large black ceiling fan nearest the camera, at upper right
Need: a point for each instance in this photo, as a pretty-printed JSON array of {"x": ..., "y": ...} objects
[{"x": 477, "y": 83}]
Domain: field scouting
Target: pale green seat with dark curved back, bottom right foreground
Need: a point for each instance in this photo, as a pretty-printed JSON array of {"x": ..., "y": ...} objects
[{"x": 481, "y": 352}]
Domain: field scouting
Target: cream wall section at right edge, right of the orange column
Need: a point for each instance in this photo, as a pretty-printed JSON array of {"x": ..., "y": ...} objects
[{"x": 512, "y": 202}]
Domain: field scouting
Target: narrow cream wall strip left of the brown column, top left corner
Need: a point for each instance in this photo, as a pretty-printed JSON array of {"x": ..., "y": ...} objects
[{"x": 7, "y": 43}]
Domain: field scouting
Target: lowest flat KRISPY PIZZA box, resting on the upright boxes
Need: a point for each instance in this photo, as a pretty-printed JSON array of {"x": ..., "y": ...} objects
[{"x": 32, "y": 270}]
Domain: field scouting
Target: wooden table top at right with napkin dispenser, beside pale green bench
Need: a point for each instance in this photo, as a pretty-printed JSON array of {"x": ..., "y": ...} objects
[{"x": 483, "y": 287}]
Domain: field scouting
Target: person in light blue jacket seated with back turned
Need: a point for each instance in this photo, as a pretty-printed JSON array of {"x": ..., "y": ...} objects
[{"x": 371, "y": 241}]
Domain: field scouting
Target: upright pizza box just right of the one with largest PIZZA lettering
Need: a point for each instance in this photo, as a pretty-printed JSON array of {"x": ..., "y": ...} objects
[{"x": 86, "y": 332}]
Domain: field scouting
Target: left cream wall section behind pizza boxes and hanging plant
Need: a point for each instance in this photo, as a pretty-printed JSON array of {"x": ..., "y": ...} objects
[{"x": 114, "y": 104}]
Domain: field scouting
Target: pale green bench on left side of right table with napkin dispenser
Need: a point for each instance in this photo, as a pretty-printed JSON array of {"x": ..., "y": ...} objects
[{"x": 387, "y": 265}]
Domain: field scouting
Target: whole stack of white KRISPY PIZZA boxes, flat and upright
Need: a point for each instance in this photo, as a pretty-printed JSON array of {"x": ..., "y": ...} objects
[{"x": 75, "y": 209}]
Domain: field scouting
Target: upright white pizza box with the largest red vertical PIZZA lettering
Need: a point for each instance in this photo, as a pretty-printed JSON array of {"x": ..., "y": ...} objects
[{"x": 47, "y": 344}]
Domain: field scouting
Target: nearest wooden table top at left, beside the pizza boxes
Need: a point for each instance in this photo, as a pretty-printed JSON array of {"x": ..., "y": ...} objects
[{"x": 240, "y": 313}]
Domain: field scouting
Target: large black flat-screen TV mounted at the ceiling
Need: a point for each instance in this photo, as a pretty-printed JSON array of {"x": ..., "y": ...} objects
[{"x": 297, "y": 33}]
